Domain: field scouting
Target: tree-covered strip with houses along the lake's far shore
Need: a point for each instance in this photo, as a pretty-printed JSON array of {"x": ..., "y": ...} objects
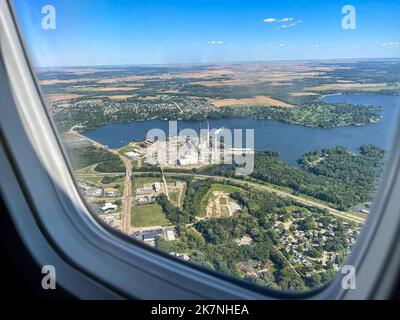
[{"x": 313, "y": 113}]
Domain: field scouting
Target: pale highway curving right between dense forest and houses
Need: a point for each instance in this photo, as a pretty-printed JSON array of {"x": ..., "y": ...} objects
[{"x": 335, "y": 212}]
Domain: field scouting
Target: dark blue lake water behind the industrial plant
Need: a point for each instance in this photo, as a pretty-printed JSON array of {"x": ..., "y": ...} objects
[{"x": 291, "y": 141}]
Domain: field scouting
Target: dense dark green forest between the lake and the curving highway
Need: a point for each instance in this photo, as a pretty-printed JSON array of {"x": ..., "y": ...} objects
[{"x": 336, "y": 176}]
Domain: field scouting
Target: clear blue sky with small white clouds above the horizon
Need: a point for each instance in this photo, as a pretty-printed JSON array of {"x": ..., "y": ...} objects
[{"x": 111, "y": 32}]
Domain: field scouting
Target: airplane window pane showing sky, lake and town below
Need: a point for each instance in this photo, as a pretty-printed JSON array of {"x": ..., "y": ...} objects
[{"x": 247, "y": 137}]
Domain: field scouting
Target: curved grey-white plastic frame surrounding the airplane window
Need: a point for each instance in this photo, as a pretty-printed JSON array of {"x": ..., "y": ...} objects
[{"x": 94, "y": 251}]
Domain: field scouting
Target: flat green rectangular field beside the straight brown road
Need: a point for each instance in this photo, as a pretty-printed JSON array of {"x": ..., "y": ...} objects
[{"x": 150, "y": 215}]
